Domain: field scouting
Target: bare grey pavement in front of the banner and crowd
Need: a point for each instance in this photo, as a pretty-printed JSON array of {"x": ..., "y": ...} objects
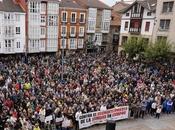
[{"x": 167, "y": 122}]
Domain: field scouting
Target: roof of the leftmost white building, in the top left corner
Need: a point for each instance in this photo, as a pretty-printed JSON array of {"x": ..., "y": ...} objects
[{"x": 10, "y": 6}]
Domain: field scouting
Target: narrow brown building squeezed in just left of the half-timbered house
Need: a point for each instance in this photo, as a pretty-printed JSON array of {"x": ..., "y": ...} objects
[{"x": 116, "y": 24}]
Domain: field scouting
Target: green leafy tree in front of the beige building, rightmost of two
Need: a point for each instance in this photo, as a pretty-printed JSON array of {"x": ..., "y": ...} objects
[{"x": 158, "y": 50}]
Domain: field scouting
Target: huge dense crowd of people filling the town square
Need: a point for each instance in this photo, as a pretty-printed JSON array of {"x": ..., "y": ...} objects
[{"x": 31, "y": 89}]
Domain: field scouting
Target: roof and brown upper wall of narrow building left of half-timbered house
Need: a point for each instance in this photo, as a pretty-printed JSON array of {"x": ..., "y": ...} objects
[{"x": 116, "y": 15}]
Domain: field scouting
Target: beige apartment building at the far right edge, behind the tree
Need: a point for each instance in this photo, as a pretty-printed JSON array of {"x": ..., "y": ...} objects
[{"x": 165, "y": 22}]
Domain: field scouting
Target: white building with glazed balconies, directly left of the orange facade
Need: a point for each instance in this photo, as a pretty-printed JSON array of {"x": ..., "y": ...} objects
[{"x": 42, "y": 25}]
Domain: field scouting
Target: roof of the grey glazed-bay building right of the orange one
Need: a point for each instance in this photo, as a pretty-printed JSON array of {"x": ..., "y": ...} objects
[{"x": 93, "y": 4}]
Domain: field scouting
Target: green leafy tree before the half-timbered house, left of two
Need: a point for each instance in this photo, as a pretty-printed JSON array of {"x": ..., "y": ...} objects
[{"x": 135, "y": 46}]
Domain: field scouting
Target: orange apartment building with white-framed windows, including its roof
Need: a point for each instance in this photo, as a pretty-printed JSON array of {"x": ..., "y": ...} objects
[{"x": 72, "y": 26}]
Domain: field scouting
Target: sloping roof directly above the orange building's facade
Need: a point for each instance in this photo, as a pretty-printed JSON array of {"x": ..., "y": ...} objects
[{"x": 70, "y": 4}]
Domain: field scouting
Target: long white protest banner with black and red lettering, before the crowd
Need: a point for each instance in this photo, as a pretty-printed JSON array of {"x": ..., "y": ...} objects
[{"x": 100, "y": 117}]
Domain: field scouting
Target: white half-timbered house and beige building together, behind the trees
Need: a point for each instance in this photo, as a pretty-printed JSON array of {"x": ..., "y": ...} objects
[{"x": 149, "y": 19}]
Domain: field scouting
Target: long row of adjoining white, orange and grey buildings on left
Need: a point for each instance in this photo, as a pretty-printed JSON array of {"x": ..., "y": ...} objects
[{"x": 34, "y": 26}]
